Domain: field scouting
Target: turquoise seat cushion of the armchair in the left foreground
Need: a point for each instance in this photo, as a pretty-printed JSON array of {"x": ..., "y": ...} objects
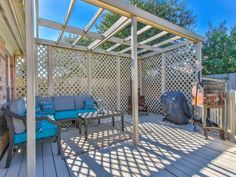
[{"x": 47, "y": 130}]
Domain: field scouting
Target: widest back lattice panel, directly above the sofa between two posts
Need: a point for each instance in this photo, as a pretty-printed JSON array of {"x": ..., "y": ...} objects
[{"x": 70, "y": 71}]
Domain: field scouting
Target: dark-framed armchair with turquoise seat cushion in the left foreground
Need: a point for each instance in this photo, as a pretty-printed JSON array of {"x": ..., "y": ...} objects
[{"x": 48, "y": 128}]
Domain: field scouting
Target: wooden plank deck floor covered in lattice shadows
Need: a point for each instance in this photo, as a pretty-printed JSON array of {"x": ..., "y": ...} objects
[{"x": 164, "y": 150}]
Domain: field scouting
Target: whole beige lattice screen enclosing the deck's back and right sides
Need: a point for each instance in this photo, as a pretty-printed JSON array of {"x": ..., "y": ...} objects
[{"x": 70, "y": 75}]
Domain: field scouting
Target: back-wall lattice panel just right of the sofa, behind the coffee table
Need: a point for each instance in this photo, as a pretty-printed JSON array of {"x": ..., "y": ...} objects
[{"x": 104, "y": 79}]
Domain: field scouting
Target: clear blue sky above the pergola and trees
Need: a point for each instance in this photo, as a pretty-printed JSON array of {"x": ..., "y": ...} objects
[{"x": 215, "y": 11}]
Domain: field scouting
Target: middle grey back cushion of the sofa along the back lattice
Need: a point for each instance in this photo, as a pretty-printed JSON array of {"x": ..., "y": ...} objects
[{"x": 62, "y": 103}]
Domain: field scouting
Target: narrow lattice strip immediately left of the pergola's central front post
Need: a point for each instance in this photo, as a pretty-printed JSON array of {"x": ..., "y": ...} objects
[{"x": 125, "y": 84}]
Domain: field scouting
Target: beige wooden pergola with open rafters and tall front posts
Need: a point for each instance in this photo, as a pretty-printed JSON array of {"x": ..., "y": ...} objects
[{"x": 135, "y": 49}]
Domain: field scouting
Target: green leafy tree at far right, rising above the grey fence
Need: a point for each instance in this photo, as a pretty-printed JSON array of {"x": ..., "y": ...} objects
[{"x": 219, "y": 50}]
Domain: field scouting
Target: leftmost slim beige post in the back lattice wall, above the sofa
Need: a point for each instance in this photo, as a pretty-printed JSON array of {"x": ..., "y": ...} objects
[{"x": 50, "y": 72}]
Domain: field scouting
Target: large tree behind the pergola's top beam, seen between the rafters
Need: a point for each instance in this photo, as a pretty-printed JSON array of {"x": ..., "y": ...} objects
[{"x": 171, "y": 10}]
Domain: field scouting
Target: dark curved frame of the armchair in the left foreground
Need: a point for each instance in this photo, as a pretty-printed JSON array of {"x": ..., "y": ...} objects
[{"x": 11, "y": 147}]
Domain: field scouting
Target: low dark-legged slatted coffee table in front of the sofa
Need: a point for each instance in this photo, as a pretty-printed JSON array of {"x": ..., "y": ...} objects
[{"x": 87, "y": 117}]
